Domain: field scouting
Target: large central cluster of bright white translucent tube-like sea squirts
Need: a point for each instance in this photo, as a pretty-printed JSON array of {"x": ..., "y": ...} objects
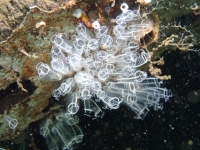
[{"x": 104, "y": 67}]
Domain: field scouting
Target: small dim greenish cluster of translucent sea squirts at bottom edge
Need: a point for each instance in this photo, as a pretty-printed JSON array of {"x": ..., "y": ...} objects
[{"x": 63, "y": 133}]
